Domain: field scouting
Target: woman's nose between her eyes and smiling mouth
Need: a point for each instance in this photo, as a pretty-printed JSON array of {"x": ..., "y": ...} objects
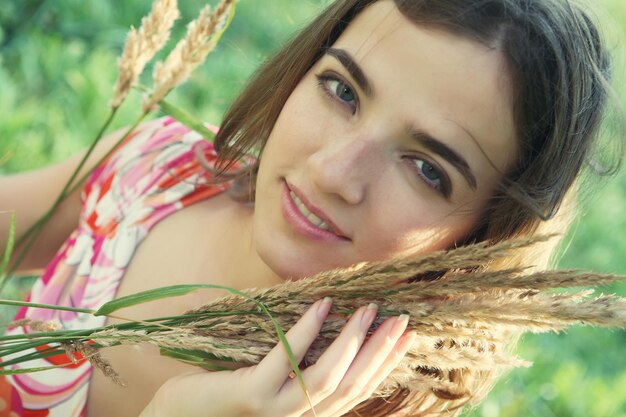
[{"x": 346, "y": 168}]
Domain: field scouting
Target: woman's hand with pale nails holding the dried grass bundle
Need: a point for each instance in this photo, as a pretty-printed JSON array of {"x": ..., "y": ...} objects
[{"x": 344, "y": 376}]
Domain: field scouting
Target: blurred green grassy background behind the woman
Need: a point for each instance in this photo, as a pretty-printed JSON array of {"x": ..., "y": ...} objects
[{"x": 57, "y": 68}]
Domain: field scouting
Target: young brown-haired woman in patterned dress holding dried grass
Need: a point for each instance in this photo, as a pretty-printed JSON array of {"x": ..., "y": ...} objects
[{"x": 384, "y": 128}]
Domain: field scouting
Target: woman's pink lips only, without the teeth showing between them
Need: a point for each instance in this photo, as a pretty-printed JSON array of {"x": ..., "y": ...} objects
[{"x": 300, "y": 223}]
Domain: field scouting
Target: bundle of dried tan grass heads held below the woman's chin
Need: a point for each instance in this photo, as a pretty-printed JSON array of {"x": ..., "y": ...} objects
[{"x": 463, "y": 312}]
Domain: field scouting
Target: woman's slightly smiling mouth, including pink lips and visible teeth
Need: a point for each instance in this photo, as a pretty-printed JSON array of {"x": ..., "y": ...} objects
[{"x": 302, "y": 218}]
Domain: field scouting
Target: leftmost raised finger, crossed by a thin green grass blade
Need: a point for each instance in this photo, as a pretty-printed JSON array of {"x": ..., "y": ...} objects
[{"x": 273, "y": 370}]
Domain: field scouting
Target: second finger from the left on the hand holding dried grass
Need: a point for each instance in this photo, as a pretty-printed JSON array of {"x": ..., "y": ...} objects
[{"x": 323, "y": 378}]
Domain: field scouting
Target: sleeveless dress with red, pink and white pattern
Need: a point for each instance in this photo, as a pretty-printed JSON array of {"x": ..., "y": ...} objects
[{"x": 154, "y": 173}]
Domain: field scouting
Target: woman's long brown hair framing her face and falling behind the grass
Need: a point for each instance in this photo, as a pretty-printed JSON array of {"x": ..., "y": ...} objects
[{"x": 559, "y": 66}]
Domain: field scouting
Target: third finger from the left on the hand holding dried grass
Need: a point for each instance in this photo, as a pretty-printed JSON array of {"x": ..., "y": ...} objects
[{"x": 372, "y": 356}]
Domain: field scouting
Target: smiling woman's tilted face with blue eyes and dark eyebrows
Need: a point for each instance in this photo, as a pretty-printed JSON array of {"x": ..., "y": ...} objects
[{"x": 393, "y": 142}]
